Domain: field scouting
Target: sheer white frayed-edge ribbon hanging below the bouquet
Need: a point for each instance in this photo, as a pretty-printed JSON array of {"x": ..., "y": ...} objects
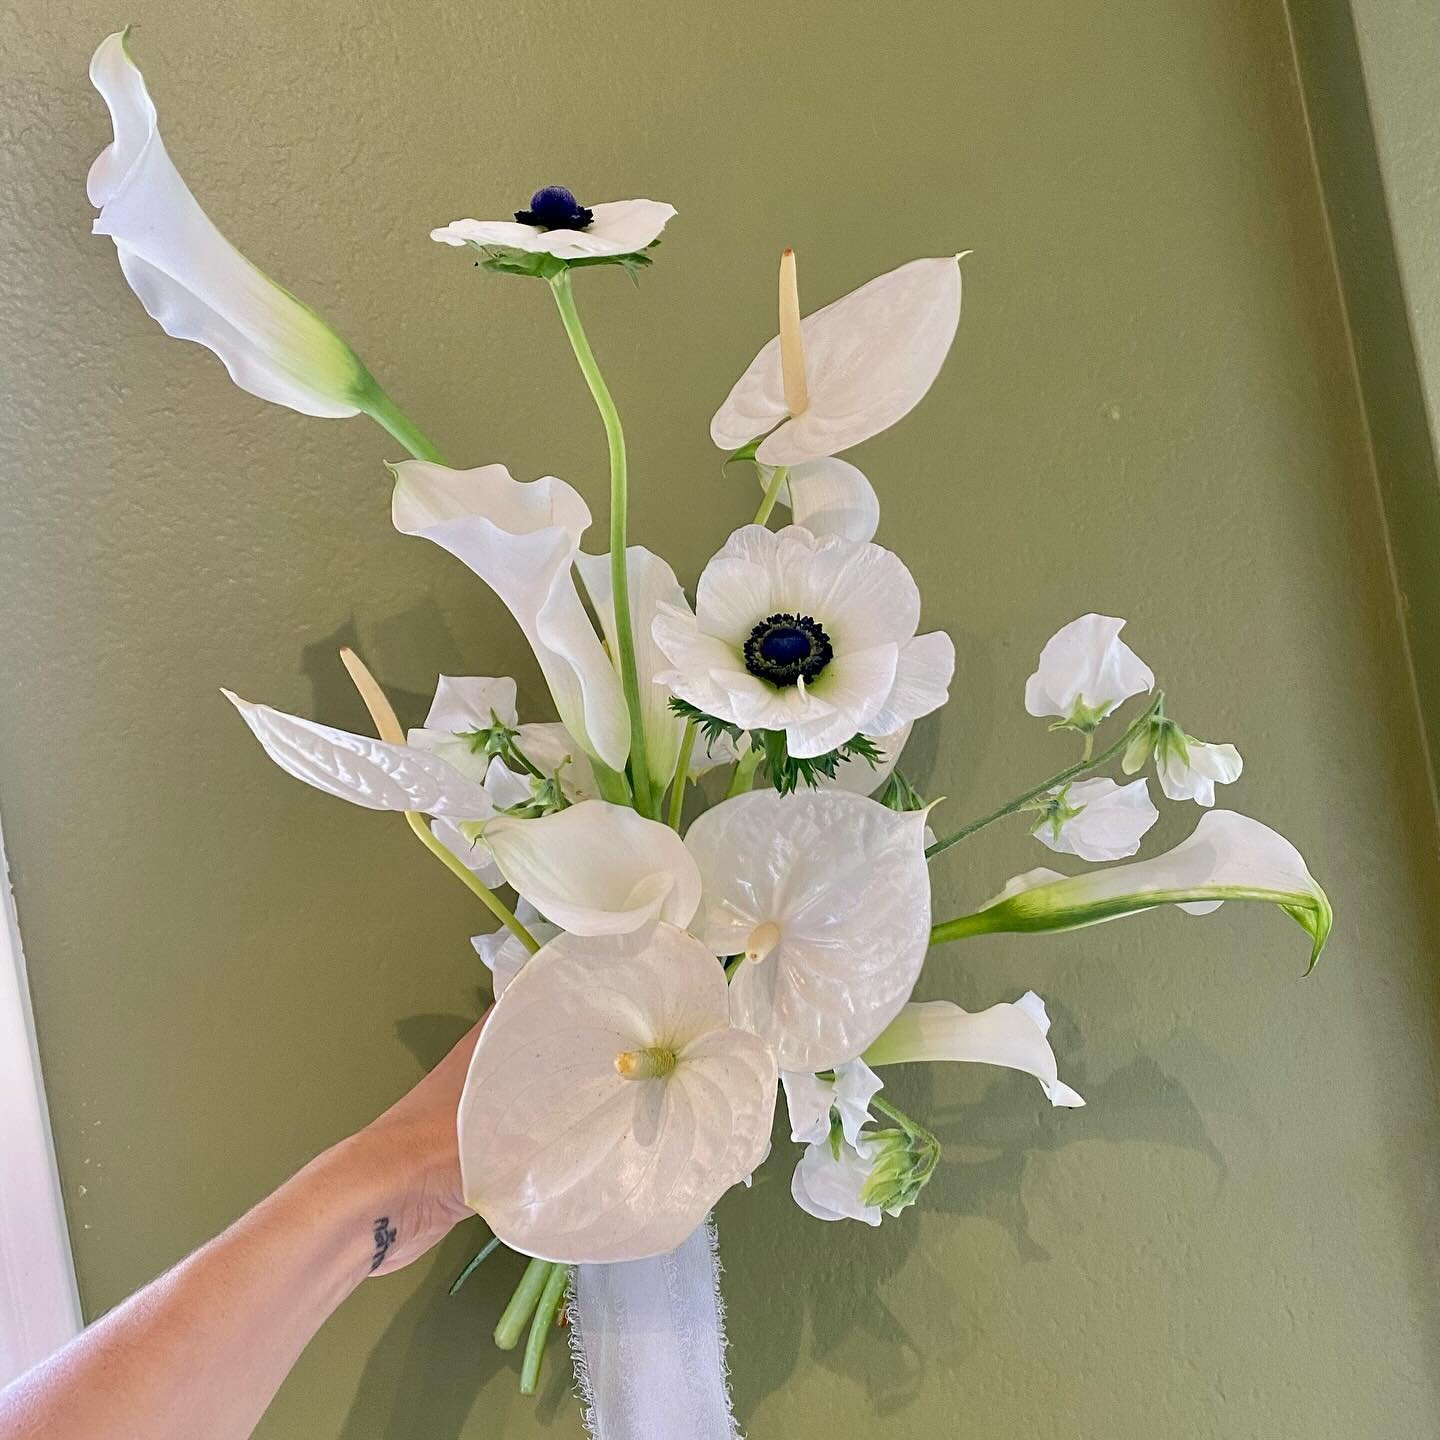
[{"x": 649, "y": 1346}]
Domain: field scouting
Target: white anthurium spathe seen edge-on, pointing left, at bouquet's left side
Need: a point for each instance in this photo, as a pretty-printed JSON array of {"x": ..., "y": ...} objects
[{"x": 361, "y": 770}]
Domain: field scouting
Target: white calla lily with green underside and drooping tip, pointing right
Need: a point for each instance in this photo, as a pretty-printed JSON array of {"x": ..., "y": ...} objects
[{"x": 1229, "y": 858}]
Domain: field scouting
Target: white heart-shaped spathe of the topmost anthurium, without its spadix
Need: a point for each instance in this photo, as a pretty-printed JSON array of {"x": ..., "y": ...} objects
[{"x": 869, "y": 361}]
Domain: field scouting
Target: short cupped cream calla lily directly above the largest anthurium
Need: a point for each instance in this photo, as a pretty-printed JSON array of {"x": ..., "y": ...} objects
[{"x": 598, "y": 869}]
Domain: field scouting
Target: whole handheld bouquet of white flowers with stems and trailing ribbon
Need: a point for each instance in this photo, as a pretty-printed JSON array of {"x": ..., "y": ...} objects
[{"x": 659, "y": 984}]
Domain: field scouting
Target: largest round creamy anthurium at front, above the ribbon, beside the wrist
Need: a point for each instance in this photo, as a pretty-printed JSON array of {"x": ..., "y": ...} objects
[{"x": 610, "y": 1102}]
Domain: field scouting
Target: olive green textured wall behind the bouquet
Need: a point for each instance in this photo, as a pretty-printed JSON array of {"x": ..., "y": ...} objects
[{"x": 1151, "y": 411}]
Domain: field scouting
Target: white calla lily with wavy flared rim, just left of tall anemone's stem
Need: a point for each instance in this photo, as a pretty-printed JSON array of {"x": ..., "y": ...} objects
[{"x": 522, "y": 539}]
